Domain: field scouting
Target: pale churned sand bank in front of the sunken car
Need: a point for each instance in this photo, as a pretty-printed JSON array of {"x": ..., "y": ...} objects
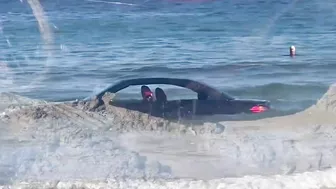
[{"x": 66, "y": 144}]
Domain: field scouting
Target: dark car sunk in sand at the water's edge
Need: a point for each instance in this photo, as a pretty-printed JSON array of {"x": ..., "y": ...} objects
[{"x": 210, "y": 101}]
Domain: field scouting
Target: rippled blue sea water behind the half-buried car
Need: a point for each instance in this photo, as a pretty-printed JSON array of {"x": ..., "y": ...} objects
[{"x": 239, "y": 46}]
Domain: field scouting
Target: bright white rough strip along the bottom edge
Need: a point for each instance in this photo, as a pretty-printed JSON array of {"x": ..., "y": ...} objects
[{"x": 311, "y": 180}]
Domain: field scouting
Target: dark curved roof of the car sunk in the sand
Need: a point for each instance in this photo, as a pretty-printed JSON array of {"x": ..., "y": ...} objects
[{"x": 193, "y": 85}]
